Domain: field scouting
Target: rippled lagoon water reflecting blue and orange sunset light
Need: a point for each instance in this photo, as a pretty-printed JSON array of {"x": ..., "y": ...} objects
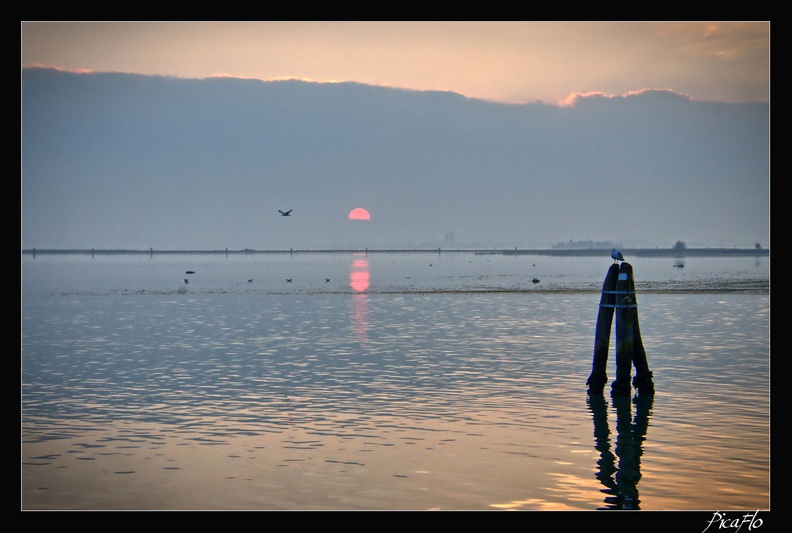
[{"x": 449, "y": 381}]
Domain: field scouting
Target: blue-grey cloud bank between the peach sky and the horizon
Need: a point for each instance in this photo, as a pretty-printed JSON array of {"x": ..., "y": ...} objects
[{"x": 130, "y": 161}]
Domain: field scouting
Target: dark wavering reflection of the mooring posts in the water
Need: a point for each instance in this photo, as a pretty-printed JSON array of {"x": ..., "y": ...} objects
[{"x": 620, "y": 481}]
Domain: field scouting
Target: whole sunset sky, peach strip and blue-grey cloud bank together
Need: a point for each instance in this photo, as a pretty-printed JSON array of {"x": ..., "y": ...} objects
[{"x": 651, "y": 133}]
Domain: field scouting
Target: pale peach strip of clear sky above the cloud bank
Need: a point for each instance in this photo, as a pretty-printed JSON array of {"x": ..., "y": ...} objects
[{"x": 509, "y": 61}]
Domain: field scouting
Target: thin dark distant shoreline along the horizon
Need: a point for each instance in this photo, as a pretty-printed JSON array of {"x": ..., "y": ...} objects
[{"x": 636, "y": 252}]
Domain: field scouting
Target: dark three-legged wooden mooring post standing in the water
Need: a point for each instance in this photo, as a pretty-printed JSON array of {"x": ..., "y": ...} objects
[{"x": 618, "y": 297}]
